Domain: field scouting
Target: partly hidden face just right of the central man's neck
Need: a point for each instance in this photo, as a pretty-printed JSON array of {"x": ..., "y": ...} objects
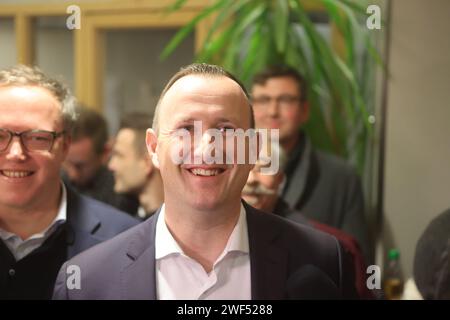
[{"x": 261, "y": 191}]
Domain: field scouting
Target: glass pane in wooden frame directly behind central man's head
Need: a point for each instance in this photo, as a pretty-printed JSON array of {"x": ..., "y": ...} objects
[{"x": 134, "y": 75}]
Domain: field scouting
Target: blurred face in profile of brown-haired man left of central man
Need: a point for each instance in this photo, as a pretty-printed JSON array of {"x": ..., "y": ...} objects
[{"x": 130, "y": 168}]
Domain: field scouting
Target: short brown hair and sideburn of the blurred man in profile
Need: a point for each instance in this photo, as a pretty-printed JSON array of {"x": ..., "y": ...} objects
[{"x": 139, "y": 122}]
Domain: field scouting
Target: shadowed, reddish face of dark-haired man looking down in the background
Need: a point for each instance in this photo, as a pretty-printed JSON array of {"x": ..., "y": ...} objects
[{"x": 82, "y": 162}]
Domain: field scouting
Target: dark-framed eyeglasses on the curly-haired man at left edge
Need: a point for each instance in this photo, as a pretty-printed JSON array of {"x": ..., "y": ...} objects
[{"x": 32, "y": 140}]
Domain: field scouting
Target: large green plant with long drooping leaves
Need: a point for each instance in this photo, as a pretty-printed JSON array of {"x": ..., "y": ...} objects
[{"x": 248, "y": 35}]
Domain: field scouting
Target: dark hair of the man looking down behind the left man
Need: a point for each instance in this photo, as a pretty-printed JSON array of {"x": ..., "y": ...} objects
[{"x": 92, "y": 125}]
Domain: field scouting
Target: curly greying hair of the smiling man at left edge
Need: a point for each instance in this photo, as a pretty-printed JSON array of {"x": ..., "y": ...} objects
[{"x": 22, "y": 75}]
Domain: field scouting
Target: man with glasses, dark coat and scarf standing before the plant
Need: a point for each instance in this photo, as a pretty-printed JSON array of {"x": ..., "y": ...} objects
[{"x": 321, "y": 186}]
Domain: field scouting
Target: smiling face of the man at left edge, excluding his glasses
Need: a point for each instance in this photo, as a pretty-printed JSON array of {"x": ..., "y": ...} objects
[{"x": 29, "y": 179}]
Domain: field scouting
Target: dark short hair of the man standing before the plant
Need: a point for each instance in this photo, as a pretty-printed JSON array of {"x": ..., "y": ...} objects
[{"x": 278, "y": 71}]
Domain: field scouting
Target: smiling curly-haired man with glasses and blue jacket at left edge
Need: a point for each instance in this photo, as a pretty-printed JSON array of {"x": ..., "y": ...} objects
[{"x": 42, "y": 223}]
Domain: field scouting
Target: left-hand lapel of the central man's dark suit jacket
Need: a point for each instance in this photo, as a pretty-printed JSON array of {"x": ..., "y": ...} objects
[{"x": 138, "y": 277}]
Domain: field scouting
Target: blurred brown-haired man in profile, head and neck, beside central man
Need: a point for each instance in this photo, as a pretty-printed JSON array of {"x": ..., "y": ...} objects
[{"x": 132, "y": 167}]
